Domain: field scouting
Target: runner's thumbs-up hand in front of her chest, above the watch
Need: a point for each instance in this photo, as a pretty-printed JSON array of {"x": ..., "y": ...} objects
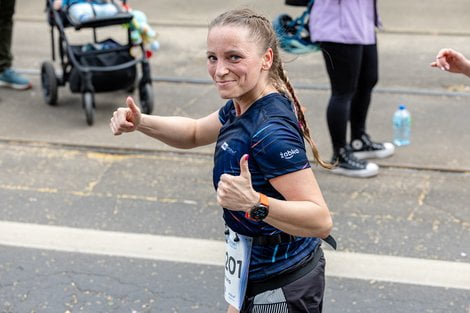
[{"x": 236, "y": 192}]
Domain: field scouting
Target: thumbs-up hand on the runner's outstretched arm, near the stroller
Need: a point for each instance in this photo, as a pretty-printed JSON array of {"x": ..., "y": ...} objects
[{"x": 125, "y": 120}]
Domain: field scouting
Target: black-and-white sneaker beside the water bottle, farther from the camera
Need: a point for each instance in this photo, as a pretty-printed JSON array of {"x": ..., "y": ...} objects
[{"x": 364, "y": 148}]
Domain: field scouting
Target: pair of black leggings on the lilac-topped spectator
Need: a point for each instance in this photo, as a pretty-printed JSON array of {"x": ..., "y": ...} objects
[{"x": 353, "y": 72}]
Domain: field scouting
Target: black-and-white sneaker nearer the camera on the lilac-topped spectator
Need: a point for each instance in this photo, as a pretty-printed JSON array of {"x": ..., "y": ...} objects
[{"x": 347, "y": 164}]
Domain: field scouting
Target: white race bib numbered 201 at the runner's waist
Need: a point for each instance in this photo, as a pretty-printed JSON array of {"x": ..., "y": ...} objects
[{"x": 237, "y": 261}]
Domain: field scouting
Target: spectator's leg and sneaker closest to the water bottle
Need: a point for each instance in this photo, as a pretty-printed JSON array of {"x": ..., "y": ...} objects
[{"x": 363, "y": 147}]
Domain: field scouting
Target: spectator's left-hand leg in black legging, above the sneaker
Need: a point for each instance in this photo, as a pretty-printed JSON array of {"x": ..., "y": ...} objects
[{"x": 342, "y": 64}]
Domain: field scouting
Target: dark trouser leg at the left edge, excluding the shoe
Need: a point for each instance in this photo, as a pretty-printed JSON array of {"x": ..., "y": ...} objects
[{"x": 7, "y": 9}]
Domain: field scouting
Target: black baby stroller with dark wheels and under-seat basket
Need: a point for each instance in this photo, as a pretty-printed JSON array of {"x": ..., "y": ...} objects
[{"x": 100, "y": 66}]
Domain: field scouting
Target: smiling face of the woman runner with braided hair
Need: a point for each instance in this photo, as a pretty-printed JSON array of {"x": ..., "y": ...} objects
[{"x": 235, "y": 63}]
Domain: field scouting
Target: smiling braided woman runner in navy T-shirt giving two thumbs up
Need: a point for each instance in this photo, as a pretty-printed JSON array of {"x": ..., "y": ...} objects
[{"x": 273, "y": 208}]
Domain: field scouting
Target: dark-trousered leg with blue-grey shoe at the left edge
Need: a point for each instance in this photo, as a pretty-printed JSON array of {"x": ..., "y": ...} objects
[{"x": 8, "y": 77}]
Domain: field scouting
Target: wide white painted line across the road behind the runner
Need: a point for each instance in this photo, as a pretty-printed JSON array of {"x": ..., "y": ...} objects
[{"x": 211, "y": 252}]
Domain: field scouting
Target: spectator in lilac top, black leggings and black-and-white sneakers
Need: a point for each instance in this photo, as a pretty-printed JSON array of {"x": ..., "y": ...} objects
[{"x": 345, "y": 30}]
